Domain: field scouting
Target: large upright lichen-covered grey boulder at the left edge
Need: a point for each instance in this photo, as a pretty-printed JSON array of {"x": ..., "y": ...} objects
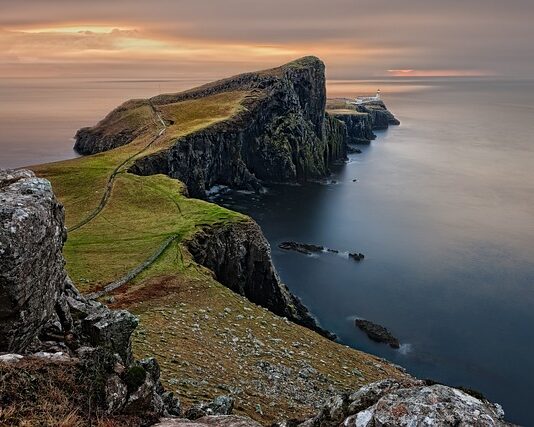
[{"x": 31, "y": 264}]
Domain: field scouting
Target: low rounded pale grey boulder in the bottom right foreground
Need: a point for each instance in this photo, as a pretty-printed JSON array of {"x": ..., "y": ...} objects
[{"x": 408, "y": 403}]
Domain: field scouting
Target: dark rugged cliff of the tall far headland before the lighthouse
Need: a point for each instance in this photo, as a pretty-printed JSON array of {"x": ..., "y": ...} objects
[{"x": 282, "y": 133}]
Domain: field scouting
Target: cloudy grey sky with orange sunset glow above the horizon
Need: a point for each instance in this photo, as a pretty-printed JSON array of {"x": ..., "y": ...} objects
[{"x": 357, "y": 39}]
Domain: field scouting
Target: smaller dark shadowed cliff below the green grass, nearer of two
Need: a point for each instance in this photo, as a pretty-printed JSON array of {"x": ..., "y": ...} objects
[{"x": 240, "y": 257}]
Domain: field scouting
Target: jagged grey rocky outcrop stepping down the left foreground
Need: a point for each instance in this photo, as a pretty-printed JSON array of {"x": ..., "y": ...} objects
[{"x": 43, "y": 315}]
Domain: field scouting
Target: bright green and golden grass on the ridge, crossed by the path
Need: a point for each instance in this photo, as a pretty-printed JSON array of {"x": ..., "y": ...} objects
[{"x": 142, "y": 211}]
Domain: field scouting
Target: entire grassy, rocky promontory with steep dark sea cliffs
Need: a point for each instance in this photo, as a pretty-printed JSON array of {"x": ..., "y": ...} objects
[{"x": 198, "y": 279}]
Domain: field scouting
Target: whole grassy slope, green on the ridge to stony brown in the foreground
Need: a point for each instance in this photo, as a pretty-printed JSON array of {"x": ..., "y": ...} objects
[{"x": 204, "y": 349}]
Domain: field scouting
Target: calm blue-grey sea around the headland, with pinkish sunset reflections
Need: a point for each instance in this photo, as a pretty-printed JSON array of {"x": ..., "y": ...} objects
[{"x": 442, "y": 207}]
